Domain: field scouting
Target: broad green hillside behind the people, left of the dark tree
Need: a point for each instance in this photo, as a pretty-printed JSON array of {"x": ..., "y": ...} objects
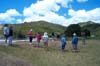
[{"x": 40, "y": 26}]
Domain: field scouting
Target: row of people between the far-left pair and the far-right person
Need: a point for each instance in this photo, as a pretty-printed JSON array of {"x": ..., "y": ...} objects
[{"x": 45, "y": 39}]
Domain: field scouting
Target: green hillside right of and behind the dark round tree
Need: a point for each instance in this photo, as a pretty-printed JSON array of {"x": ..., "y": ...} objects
[{"x": 92, "y": 26}]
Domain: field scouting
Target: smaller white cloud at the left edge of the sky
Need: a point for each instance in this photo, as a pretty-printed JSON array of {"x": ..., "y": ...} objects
[{"x": 9, "y": 15}]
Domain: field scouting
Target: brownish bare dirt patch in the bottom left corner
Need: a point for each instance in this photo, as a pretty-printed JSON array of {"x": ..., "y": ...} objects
[{"x": 6, "y": 60}]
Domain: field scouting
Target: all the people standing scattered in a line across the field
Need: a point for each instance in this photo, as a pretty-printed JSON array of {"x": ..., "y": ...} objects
[{"x": 8, "y": 33}]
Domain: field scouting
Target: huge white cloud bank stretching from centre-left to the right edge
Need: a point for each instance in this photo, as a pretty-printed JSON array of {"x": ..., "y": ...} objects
[{"x": 45, "y": 10}]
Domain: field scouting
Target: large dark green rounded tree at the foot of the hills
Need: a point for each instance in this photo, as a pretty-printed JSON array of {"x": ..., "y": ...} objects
[{"x": 73, "y": 28}]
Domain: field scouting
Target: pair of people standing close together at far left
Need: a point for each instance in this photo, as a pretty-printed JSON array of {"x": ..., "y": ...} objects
[{"x": 8, "y": 33}]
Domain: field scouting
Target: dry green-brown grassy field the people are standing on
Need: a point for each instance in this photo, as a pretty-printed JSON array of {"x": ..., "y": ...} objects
[{"x": 22, "y": 55}]
